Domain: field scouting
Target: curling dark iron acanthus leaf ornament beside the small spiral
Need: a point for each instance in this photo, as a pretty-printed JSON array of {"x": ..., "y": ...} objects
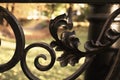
[{"x": 68, "y": 42}]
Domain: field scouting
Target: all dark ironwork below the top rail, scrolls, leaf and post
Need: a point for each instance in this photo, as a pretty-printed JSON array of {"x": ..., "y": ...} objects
[{"x": 101, "y": 38}]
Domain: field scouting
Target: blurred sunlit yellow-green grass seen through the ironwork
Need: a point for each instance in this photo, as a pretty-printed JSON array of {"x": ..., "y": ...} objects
[{"x": 56, "y": 73}]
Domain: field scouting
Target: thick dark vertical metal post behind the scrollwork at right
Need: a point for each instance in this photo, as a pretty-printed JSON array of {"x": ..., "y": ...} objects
[{"x": 98, "y": 68}]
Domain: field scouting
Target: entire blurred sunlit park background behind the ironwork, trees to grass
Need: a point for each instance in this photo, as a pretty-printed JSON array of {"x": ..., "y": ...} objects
[{"x": 34, "y": 18}]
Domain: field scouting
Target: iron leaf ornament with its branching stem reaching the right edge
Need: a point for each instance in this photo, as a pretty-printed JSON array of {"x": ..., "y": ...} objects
[{"x": 69, "y": 44}]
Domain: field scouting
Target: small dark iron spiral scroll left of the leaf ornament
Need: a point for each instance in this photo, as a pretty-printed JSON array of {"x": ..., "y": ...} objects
[{"x": 36, "y": 62}]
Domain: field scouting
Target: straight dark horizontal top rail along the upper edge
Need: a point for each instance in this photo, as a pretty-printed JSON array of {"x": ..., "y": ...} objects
[{"x": 64, "y": 1}]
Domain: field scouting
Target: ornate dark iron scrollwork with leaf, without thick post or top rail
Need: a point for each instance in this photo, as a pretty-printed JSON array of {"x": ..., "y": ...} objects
[{"x": 66, "y": 42}]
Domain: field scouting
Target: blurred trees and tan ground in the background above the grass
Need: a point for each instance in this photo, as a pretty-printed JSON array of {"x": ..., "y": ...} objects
[{"x": 33, "y": 16}]
